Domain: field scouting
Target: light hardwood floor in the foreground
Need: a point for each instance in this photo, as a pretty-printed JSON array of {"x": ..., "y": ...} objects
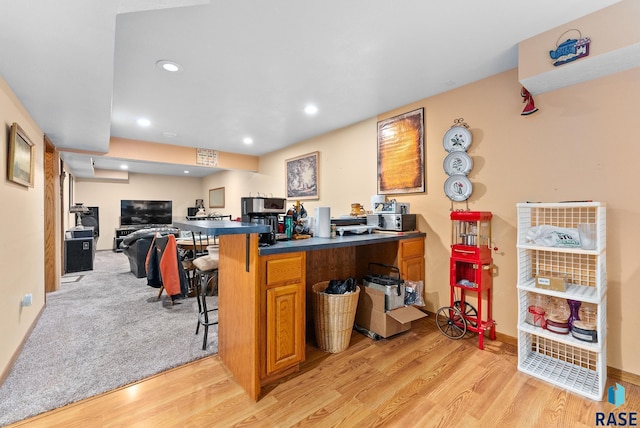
[{"x": 417, "y": 379}]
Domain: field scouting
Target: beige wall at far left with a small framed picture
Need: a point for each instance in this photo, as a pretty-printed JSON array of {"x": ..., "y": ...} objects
[{"x": 22, "y": 252}]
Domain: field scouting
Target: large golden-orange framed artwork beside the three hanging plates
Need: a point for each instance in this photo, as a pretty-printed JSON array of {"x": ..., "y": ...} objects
[{"x": 401, "y": 154}]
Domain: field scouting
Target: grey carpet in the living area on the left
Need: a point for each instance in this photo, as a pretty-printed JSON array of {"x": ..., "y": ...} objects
[{"x": 103, "y": 329}]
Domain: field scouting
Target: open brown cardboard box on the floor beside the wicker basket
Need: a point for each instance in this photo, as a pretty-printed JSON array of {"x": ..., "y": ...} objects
[{"x": 372, "y": 316}]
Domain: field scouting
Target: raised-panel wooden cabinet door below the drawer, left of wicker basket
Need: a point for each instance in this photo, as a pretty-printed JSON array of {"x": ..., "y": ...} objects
[{"x": 285, "y": 326}]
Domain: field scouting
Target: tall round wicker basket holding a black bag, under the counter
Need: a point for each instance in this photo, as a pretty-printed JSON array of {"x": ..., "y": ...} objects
[{"x": 334, "y": 315}]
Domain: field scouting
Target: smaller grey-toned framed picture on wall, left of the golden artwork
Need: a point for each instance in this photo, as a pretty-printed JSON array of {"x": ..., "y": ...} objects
[{"x": 302, "y": 176}]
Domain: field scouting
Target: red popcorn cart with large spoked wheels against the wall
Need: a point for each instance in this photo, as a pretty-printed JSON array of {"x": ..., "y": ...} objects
[{"x": 470, "y": 278}]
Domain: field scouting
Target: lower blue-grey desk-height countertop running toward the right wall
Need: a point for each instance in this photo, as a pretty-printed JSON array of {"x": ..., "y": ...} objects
[{"x": 311, "y": 244}]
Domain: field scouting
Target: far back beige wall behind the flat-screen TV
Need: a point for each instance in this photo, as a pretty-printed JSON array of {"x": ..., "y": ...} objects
[{"x": 183, "y": 191}]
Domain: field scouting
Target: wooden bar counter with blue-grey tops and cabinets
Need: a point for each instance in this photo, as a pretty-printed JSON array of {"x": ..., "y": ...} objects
[{"x": 264, "y": 293}]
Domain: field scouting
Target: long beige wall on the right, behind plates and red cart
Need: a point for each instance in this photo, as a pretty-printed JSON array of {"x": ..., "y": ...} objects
[{"x": 580, "y": 145}]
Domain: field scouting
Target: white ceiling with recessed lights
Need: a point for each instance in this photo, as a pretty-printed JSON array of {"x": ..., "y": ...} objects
[{"x": 86, "y": 70}]
